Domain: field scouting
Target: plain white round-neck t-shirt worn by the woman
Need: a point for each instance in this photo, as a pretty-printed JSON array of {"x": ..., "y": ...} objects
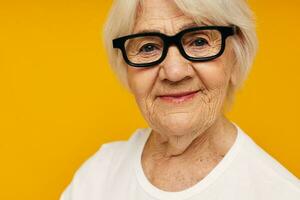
[{"x": 246, "y": 172}]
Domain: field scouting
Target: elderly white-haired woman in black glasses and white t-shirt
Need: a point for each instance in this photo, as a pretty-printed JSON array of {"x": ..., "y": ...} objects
[{"x": 183, "y": 60}]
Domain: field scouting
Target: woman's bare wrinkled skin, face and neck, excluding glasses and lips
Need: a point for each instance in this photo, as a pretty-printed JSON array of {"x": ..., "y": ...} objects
[{"x": 182, "y": 132}]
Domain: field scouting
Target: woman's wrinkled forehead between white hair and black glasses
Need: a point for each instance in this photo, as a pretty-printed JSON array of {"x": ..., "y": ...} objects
[{"x": 160, "y": 15}]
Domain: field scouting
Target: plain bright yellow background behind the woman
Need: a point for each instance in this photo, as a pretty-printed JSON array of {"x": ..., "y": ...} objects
[{"x": 60, "y": 101}]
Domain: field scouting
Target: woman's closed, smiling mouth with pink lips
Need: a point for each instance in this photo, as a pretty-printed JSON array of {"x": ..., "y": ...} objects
[{"x": 179, "y": 97}]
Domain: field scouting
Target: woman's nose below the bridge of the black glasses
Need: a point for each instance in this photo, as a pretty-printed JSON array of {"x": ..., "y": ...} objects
[{"x": 175, "y": 67}]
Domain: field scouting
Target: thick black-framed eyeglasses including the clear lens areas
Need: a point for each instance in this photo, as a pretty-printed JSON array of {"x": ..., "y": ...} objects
[{"x": 203, "y": 43}]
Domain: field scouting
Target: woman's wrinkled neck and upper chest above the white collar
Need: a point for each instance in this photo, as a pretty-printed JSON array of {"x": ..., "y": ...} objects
[{"x": 174, "y": 168}]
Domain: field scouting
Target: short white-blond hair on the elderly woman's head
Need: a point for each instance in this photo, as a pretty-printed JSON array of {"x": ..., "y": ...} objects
[{"x": 122, "y": 17}]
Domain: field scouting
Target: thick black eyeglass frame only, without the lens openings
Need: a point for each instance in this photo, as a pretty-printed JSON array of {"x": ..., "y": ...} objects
[{"x": 225, "y": 31}]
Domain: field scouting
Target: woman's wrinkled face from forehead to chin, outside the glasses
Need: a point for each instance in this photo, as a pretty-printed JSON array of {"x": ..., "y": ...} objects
[{"x": 177, "y": 116}]
